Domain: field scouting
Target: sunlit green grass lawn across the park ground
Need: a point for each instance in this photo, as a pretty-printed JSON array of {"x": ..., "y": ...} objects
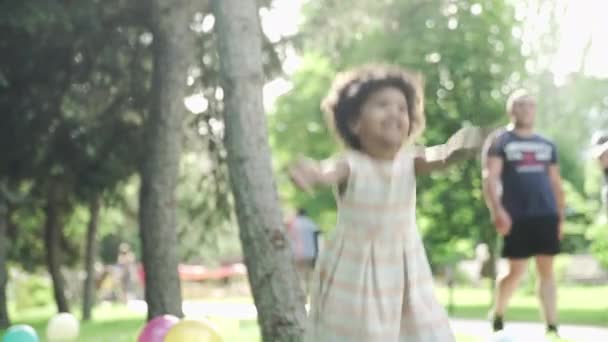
[{"x": 578, "y": 305}]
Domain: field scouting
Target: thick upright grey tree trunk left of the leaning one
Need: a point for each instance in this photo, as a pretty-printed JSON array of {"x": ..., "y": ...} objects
[{"x": 172, "y": 44}]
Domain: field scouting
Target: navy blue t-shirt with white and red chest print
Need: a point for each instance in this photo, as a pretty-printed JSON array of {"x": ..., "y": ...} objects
[{"x": 526, "y": 186}]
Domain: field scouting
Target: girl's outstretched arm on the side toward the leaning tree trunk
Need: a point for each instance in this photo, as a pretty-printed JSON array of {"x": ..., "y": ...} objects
[{"x": 307, "y": 173}]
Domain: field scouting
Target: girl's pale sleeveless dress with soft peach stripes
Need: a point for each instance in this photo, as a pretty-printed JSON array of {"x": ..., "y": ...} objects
[{"x": 373, "y": 281}]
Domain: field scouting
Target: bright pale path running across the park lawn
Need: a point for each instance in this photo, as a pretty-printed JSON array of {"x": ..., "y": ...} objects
[{"x": 518, "y": 331}]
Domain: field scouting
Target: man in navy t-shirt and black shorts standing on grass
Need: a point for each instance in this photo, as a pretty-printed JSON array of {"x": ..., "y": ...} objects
[{"x": 523, "y": 190}]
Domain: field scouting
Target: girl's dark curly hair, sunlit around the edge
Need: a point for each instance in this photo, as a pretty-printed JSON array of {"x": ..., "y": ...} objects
[{"x": 352, "y": 88}]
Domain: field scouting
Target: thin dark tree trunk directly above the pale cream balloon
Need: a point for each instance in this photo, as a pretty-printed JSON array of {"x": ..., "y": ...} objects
[{"x": 52, "y": 240}]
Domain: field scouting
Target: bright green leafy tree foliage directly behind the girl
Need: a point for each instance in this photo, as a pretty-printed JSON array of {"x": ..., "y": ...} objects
[{"x": 470, "y": 61}]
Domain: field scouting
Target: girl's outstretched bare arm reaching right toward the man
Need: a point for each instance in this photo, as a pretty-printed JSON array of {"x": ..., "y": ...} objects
[{"x": 464, "y": 144}]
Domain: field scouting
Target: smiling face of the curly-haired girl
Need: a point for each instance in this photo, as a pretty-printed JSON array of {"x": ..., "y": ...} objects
[{"x": 383, "y": 123}]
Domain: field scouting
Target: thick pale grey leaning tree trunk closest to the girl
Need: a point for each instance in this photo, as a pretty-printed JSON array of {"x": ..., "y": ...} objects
[{"x": 272, "y": 276}]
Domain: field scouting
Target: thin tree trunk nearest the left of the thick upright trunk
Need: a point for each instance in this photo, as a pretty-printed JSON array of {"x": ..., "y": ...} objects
[{"x": 88, "y": 299}]
